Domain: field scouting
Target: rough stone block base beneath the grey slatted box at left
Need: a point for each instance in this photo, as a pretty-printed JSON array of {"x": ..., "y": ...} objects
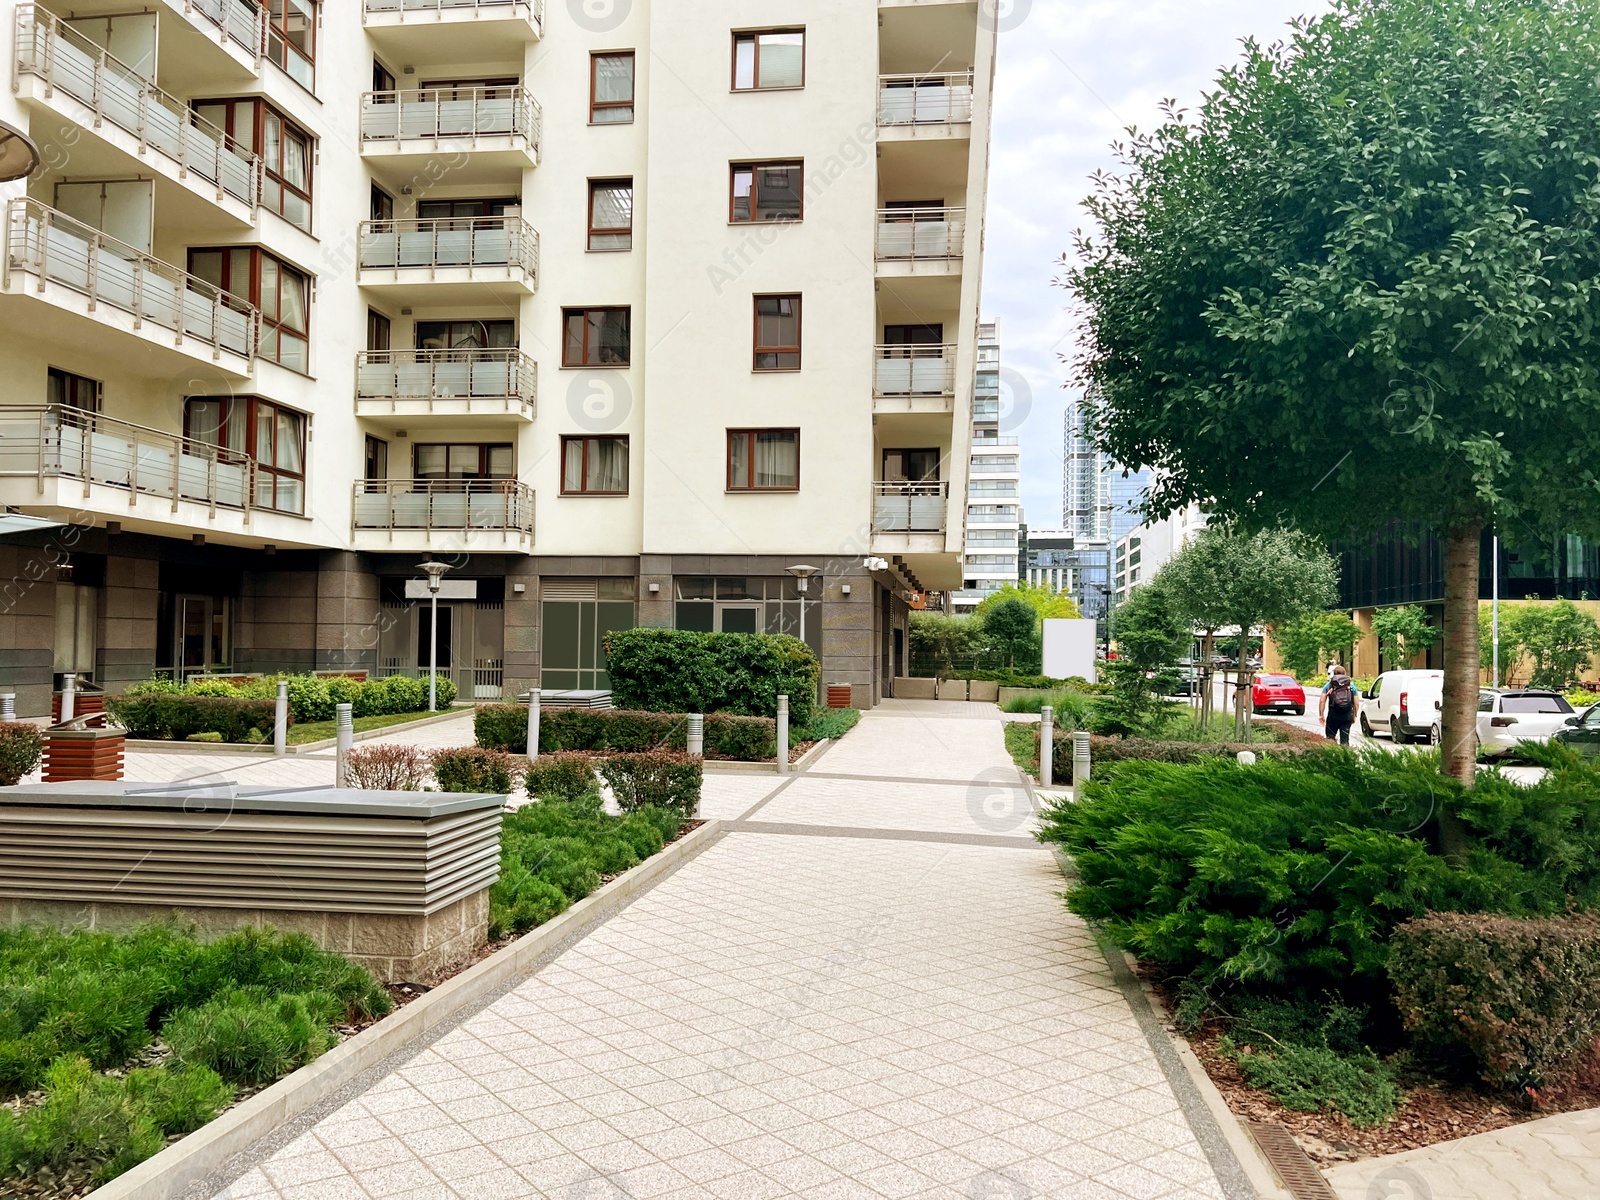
[{"x": 394, "y": 948}]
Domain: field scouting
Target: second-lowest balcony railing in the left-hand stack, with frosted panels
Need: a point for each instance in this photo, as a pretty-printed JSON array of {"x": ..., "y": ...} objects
[{"x": 54, "y": 247}]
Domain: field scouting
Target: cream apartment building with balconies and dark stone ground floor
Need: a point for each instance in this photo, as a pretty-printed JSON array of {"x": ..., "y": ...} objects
[{"x": 625, "y": 313}]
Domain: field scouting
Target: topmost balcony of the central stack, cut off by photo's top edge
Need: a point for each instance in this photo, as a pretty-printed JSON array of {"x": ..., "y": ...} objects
[{"x": 454, "y": 31}]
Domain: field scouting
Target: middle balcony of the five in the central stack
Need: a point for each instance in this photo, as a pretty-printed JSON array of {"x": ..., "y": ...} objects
[{"x": 452, "y": 258}]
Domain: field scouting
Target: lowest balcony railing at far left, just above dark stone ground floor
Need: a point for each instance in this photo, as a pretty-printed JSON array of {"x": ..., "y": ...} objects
[{"x": 54, "y": 441}]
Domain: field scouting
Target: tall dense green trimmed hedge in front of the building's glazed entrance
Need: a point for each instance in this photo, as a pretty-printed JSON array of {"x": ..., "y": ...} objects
[{"x": 681, "y": 671}]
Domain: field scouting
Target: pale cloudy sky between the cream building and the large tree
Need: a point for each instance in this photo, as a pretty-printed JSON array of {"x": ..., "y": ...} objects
[{"x": 1073, "y": 76}]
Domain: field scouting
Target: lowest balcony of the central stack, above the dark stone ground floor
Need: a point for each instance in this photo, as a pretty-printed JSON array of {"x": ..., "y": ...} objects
[{"x": 486, "y": 514}]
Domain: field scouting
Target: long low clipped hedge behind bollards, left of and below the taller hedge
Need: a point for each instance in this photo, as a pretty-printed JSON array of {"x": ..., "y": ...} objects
[{"x": 505, "y": 727}]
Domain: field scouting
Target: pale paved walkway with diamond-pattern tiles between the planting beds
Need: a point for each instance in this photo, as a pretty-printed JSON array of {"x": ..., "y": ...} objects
[{"x": 866, "y": 990}]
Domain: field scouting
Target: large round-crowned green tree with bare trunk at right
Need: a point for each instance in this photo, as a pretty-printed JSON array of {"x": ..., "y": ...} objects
[{"x": 1361, "y": 286}]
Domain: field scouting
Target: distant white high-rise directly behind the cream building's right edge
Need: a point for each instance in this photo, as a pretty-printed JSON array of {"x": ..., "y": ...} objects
[{"x": 993, "y": 484}]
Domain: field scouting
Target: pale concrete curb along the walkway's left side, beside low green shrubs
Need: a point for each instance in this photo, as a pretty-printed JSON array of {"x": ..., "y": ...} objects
[{"x": 212, "y": 1146}]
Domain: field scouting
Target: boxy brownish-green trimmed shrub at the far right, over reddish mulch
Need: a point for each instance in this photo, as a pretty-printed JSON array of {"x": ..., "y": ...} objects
[{"x": 1519, "y": 998}]
